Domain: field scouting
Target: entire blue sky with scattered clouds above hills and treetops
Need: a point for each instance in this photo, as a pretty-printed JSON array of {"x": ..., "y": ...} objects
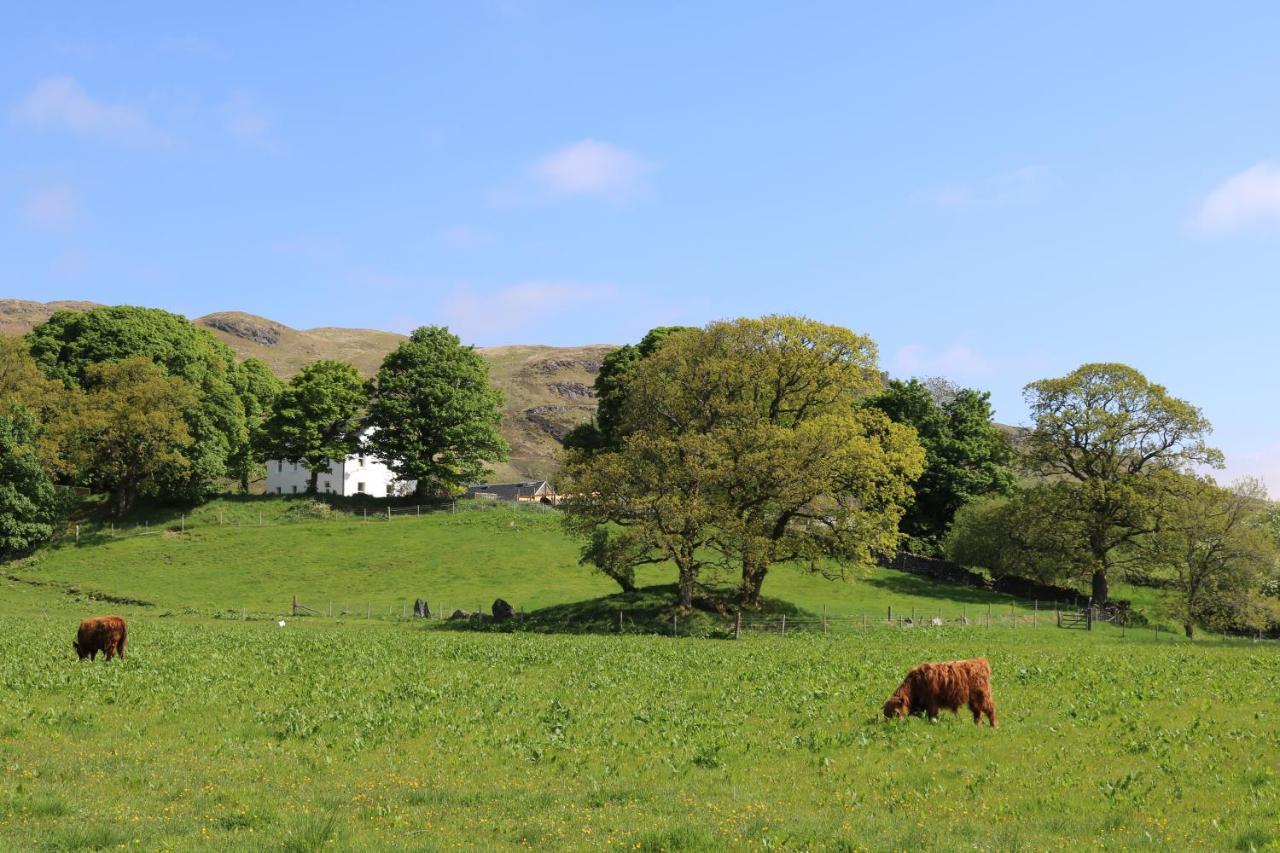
[{"x": 994, "y": 193}]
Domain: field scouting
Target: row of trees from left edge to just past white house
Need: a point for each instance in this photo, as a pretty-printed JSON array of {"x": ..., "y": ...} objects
[{"x": 143, "y": 404}]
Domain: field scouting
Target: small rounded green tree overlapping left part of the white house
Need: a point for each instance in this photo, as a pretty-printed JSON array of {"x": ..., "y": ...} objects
[{"x": 317, "y": 418}]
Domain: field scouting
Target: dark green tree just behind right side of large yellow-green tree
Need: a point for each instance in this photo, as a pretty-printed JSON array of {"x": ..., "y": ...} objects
[{"x": 967, "y": 455}]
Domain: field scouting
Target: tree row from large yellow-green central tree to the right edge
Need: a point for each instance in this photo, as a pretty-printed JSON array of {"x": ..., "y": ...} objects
[{"x": 747, "y": 444}]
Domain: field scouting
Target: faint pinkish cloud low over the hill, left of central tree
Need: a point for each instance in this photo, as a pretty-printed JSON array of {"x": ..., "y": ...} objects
[{"x": 491, "y": 317}]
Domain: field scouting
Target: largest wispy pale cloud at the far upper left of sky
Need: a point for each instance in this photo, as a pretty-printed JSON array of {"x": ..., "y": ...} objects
[{"x": 61, "y": 103}]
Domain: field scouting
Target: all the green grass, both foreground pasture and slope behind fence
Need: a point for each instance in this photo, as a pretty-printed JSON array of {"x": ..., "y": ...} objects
[{"x": 354, "y": 733}]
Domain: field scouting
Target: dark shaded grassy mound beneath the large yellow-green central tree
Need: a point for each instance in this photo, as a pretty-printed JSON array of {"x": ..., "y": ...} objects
[{"x": 650, "y": 610}]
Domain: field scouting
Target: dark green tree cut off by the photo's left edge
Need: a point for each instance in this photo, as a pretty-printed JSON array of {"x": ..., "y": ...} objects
[{"x": 29, "y": 503}]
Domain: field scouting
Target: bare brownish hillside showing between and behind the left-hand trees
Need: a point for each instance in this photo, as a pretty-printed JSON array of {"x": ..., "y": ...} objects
[{"x": 548, "y": 389}]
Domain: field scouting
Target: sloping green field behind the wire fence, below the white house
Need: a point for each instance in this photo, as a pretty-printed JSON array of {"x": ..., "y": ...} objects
[{"x": 461, "y": 560}]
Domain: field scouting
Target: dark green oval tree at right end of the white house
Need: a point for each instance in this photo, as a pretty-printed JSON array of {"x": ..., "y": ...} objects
[{"x": 435, "y": 413}]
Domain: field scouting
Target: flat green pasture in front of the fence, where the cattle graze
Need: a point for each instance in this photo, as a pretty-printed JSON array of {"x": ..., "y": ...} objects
[{"x": 248, "y": 736}]
